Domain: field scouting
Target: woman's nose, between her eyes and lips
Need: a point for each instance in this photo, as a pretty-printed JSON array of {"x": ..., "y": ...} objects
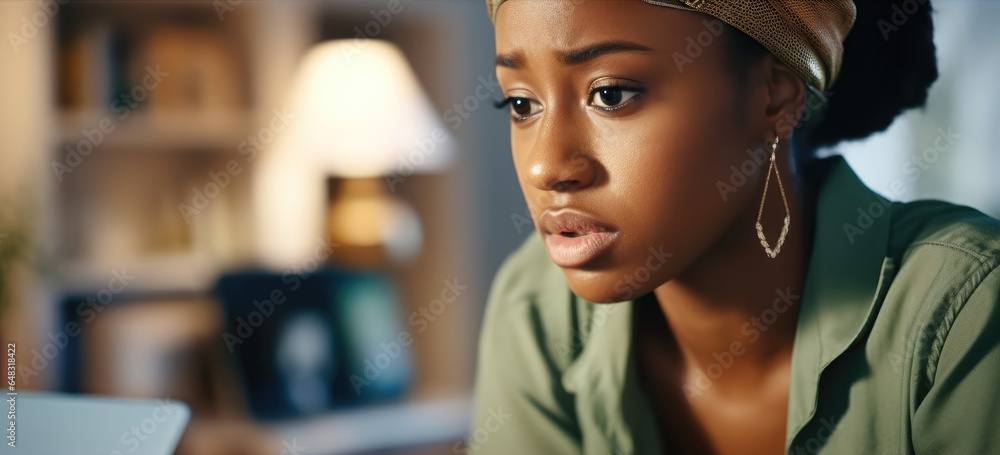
[{"x": 559, "y": 160}]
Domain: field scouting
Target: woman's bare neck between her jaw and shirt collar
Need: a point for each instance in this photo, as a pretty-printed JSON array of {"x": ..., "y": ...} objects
[{"x": 737, "y": 303}]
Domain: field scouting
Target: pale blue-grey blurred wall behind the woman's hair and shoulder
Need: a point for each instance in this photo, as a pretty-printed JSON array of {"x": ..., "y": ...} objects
[{"x": 963, "y": 108}]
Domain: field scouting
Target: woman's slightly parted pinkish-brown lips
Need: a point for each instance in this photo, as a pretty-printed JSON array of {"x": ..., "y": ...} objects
[{"x": 574, "y": 239}]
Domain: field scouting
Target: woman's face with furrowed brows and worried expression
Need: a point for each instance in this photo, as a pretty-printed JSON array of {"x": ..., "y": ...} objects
[{"x": 623, "y": 125}]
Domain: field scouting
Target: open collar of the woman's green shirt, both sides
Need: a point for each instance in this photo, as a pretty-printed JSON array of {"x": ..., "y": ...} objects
[{"x": 848, "y": 271}]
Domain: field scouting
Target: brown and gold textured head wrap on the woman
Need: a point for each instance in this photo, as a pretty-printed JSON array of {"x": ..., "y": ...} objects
[{"x": 806, "y": 35}]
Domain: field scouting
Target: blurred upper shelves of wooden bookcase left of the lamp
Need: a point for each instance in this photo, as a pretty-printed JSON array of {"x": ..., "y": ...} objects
[{"x": 152, "y": 97}]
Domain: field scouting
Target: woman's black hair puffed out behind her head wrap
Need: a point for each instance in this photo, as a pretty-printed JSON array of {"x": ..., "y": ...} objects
[{"x": 888, "y": 66}]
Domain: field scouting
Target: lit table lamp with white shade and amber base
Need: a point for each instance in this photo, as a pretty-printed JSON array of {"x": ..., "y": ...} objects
[{"x": 364, "y": 119}]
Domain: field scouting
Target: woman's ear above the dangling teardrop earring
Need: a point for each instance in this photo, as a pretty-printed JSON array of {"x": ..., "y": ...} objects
[{"x": 786, "y": 99}]
